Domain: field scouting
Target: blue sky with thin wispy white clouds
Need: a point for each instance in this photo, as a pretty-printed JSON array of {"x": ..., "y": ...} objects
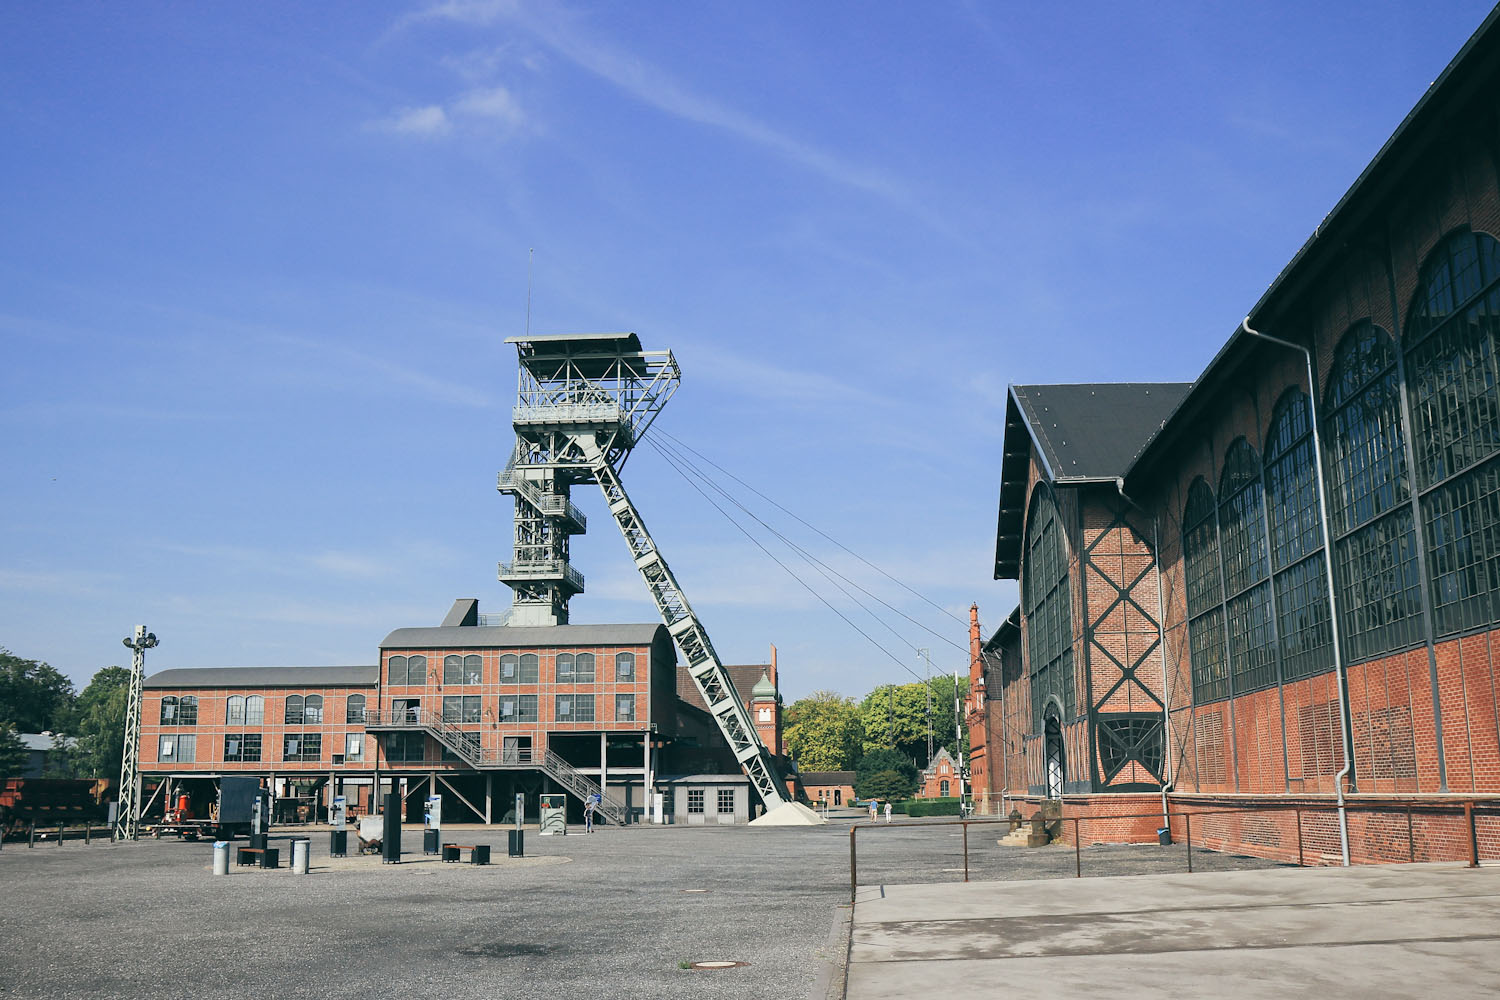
[{"x": 257, "y": 265}]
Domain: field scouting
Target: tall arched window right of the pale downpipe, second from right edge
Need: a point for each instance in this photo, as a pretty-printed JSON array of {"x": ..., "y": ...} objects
[{"x": 1375, "y": 548}]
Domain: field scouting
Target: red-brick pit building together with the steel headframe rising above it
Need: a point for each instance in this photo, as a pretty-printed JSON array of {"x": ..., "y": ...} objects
[{"x": 479, "y": 711}]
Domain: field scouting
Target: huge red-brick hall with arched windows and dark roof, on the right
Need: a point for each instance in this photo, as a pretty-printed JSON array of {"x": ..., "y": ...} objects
[{"x": 1274, "y": 593}]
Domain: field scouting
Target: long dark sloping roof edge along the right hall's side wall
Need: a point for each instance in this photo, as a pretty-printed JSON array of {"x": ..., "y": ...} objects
[{"x": 1472, "y": 76}]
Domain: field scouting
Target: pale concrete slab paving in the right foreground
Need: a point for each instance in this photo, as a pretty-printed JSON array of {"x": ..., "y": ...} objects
[{"x": 1325, "y": 933}]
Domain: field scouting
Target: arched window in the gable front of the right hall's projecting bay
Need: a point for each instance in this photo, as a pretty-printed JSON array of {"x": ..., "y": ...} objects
[{"x": 1048, "y": 608}]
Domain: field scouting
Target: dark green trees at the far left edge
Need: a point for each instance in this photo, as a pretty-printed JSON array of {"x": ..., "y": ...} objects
[{"x": 88, "y": 726}]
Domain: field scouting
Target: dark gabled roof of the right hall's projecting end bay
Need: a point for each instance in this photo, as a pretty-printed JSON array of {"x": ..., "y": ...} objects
[{"x": 1082, "y": 434}]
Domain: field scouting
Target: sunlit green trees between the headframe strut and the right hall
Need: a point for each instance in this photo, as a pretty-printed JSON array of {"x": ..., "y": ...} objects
[{"x": 883, "y": 738}]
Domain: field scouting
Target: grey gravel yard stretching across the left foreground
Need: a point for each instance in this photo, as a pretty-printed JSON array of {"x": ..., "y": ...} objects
[{"x": 607, "y": 915}]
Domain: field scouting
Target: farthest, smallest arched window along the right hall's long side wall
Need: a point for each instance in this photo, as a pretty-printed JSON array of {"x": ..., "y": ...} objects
[{"x": 1205, "y": 594}]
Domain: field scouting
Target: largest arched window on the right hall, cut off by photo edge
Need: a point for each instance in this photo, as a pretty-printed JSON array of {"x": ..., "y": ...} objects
[{"x": 1453, "y": 340}]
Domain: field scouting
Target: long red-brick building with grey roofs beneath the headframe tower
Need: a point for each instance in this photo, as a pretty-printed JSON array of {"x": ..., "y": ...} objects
[{"x": 467, "y": 711}]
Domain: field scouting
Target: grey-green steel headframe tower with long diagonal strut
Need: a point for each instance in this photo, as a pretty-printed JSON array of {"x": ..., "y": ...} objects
[{"x": 584, "y": 403}]
